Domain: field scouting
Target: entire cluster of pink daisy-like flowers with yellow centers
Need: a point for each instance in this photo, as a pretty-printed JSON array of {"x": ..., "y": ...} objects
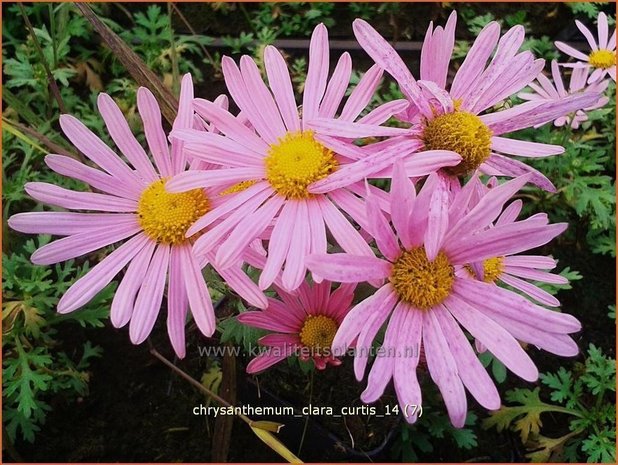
[{"x": 282, "y": 187}]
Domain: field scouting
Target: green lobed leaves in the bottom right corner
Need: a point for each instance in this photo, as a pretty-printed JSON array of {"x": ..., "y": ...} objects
[{"x": 585, "y": 394}]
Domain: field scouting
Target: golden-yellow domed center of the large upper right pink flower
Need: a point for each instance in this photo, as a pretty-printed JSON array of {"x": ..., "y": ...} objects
[{"x": 463, "y": 133}]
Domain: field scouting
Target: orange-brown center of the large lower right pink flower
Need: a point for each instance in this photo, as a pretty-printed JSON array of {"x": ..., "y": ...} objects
[{"x": 419, "y": 282}]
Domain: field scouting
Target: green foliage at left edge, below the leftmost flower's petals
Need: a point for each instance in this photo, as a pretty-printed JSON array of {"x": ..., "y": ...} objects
[{"x": 34, "y": 364}]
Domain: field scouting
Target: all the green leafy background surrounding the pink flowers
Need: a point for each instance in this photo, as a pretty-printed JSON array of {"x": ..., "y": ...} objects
[{"x": 49, "y": 359}]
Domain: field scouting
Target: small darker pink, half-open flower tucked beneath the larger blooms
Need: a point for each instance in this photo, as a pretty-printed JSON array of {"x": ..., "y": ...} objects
[{"x": 305, "y": 322}]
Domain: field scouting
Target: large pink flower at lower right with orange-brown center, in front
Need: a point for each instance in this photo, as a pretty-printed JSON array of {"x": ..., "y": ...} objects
[{"x": 427, "y": 300}]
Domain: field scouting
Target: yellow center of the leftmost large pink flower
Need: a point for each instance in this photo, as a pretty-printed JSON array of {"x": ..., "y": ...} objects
[{"x": 165, "y": 217}]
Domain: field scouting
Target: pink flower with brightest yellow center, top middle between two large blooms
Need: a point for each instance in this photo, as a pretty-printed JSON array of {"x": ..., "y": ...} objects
[{"x": 272, "y": 167}]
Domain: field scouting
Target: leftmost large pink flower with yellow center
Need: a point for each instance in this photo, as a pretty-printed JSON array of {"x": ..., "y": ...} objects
[{"x": 132, "y": 205}]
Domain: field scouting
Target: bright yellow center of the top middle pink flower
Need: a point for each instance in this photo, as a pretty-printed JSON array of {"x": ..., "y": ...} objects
[{"x": 296, "y": 161}]
